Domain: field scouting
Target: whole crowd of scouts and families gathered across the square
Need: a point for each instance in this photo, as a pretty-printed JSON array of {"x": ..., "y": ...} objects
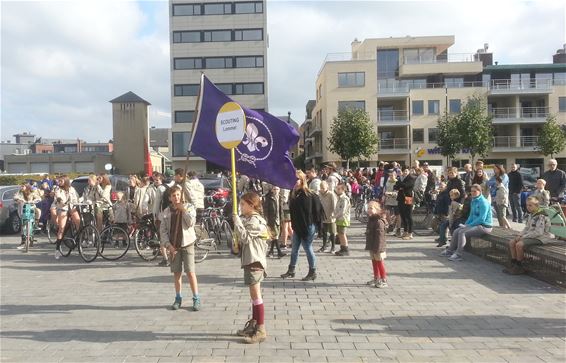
[{"x": 320, "y": 204}]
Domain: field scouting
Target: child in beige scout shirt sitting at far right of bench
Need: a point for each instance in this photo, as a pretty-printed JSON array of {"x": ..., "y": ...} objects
[{"x": 536, "y": 226}]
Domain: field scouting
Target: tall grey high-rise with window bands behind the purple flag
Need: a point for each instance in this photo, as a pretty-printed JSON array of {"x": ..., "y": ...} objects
[{"x": 228, "y": 42}]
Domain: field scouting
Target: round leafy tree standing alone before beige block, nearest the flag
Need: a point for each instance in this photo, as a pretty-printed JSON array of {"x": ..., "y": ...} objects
[{"x": 352, "y": 135}]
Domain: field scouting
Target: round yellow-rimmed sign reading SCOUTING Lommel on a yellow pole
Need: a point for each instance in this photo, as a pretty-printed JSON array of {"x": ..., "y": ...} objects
[{"x": 230, "y": 125}]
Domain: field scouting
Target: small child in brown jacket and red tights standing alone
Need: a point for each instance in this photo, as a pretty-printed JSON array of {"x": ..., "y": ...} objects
[{"x": 376, "y": 244}]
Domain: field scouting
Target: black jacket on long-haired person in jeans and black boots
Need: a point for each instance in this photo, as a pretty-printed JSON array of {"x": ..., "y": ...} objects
[{"x": 305, "y": 210}]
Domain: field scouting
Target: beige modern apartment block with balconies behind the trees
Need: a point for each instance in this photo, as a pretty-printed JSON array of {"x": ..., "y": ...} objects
[{"x": 406, "y": 84}]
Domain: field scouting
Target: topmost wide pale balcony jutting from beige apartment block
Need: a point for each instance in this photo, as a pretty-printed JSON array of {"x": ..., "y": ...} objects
[{"x": 451, "y": 64}]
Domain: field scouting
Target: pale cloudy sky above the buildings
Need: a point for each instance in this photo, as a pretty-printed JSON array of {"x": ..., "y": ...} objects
[{"x": 63, "y": 61}]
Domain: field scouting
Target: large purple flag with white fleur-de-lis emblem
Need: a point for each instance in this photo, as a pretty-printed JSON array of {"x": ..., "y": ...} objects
[{"x": 263, "y": 152}]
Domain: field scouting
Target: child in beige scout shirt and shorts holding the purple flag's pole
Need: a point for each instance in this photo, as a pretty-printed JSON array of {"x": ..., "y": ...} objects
[{"x": 177, "y": 232}]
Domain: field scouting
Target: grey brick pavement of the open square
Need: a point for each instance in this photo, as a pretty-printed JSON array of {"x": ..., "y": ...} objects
[{"x": 434, "y": 310}]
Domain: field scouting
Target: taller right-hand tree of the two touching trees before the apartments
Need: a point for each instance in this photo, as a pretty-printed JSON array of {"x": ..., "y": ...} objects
[{"x": 474, "y": 128}]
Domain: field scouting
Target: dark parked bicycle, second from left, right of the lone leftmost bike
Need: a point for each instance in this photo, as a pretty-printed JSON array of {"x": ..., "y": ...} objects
[{"x": 86, "y": 238}]
